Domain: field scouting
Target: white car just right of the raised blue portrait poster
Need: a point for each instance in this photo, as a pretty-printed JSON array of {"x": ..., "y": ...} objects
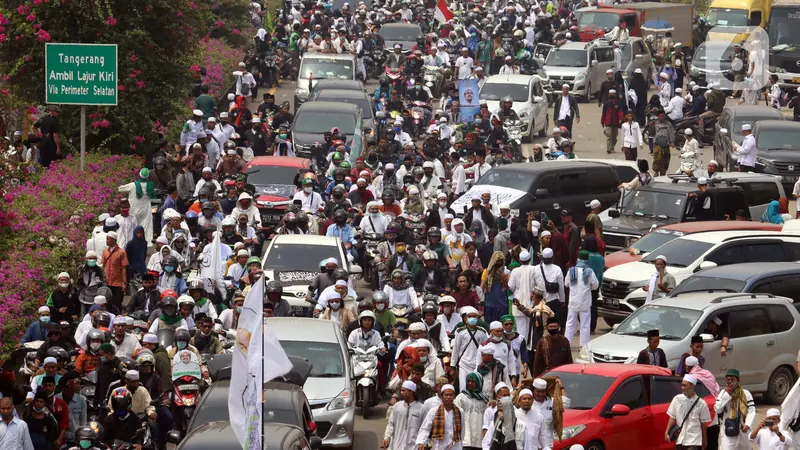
[{"x": 530, "y": 104}]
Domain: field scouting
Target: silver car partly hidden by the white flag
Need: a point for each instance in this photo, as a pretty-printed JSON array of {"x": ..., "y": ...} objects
[{"x": 330, "y": 387}]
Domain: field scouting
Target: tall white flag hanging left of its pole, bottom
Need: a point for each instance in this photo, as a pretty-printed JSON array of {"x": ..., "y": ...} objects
[{"x": 244, "y": 396}]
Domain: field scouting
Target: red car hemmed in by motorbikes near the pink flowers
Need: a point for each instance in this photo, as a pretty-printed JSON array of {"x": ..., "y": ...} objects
[{"x": 273, "y": 178}]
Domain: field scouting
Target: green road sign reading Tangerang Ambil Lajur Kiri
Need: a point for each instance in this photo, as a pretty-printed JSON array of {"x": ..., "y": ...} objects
[{"x": 81, "y": 74}]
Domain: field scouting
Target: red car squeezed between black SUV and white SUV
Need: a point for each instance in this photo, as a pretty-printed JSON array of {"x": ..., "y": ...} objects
[{"x": 662, "y": 235}]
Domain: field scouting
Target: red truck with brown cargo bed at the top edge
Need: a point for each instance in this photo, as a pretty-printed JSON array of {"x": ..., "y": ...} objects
[{"x": 593, "y": 22}]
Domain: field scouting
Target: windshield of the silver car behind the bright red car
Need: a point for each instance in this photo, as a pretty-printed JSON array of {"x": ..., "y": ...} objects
[{"x": 672, "y": 323}]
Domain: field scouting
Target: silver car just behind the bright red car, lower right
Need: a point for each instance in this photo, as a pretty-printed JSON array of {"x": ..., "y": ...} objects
[{"x": 763, "y": 331}]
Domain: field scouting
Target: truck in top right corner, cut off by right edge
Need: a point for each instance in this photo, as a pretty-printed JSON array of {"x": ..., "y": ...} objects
[{"x": 784, "y": 41}]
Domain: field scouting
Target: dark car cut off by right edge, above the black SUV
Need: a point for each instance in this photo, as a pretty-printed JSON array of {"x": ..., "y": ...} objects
[{"x": 778, "y": 144}]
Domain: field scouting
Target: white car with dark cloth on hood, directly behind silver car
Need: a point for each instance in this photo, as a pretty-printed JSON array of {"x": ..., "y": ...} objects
[{"x": 294, "y": 260}]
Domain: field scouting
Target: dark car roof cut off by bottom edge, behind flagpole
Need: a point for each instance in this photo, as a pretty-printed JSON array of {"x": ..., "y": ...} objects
[{"x": 220, "y": 436}]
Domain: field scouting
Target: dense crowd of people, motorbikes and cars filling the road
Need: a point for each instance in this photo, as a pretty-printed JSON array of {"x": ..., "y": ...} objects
[{"x": 446, "y": 255}]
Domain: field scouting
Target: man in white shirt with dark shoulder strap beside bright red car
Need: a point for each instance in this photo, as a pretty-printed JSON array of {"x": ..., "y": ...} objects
[{"x": 690, "y": 412}]
